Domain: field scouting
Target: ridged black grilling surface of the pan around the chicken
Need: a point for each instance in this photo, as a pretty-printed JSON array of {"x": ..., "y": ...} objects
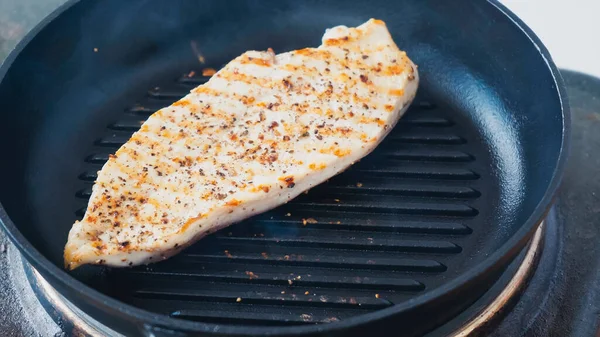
[{"x": 397, "y": 224}]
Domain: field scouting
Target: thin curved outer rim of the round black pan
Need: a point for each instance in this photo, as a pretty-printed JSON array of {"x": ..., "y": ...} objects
[{"x": 506, "y": 252}]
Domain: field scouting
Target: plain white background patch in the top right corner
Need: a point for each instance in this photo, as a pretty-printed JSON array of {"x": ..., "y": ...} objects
[{"x": 570, "y": 29}]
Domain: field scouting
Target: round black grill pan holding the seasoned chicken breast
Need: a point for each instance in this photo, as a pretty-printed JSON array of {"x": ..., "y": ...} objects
[{"x": 399, "y": 243}]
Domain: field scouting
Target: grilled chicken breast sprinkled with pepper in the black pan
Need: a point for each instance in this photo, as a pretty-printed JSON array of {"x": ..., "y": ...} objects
[{"x": 261, "y": 131}]
